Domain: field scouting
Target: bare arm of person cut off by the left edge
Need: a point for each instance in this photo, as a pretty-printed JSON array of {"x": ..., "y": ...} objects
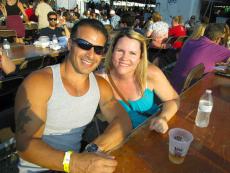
[{"x": 6, "y": 65}]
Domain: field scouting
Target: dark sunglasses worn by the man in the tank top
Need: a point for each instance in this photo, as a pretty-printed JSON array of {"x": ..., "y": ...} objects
[{"x": 83, "y": 44}]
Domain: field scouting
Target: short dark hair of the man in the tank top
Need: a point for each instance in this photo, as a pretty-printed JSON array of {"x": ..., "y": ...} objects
[{"x": 96, "y": 24}]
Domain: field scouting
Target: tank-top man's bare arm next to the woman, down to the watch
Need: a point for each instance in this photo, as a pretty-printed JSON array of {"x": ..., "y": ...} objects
[{"x": 119, "y": 122}]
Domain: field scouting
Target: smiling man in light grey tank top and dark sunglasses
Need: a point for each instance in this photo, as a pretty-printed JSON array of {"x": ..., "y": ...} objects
[{"x": 54, "y": 105}]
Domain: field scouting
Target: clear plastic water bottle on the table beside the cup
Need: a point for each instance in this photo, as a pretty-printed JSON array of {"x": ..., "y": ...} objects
[{"x": 204, "y": 109}]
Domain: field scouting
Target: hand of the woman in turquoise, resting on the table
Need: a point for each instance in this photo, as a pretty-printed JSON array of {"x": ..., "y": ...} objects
[{"x": 159, "y": 124}]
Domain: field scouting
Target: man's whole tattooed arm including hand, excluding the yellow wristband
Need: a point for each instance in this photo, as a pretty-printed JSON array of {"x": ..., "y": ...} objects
[{"x": 30, "y": 112}]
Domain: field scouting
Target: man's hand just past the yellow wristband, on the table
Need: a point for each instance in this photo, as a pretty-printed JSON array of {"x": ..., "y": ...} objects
[{"x": 92, "y": 163}]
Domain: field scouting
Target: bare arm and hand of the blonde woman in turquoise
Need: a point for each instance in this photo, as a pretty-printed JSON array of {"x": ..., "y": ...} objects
[{"x": 167, "y": 95}]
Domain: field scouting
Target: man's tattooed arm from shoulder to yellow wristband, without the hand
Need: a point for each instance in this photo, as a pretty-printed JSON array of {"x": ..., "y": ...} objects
[{"x": 30, "y": 116}]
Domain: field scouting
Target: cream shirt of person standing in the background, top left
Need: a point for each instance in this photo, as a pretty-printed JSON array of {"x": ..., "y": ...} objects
[{"x": 42, "y": 9}]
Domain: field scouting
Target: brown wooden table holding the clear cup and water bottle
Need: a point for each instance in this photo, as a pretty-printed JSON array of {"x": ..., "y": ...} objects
[{"x": 147, "y": 151}]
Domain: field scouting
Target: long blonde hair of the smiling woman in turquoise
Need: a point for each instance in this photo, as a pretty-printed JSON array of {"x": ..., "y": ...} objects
[{"x": 141, "y": 70}]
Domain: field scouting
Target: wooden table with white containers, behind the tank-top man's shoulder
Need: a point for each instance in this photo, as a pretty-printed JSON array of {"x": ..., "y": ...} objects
[{"x": 19, "y": 52}]
